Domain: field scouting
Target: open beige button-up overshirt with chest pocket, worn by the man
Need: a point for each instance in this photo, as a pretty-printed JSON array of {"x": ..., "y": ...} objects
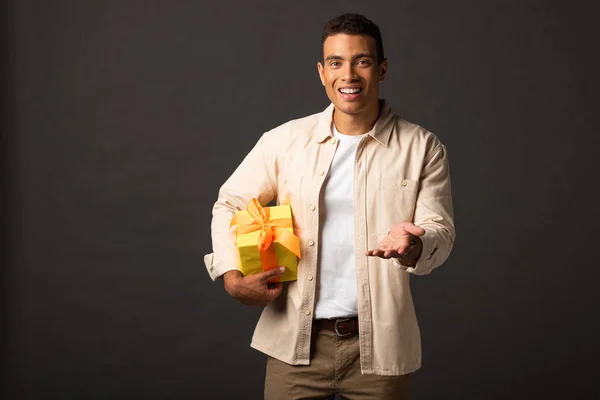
[{"x": 401, "y": 174}]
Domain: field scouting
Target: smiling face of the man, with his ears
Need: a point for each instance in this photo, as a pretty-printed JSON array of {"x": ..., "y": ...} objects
[{"x": 350, "y": 73}]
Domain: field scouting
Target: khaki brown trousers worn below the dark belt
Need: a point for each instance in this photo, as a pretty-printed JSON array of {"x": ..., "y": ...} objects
[{"x": 334, "y": 369}]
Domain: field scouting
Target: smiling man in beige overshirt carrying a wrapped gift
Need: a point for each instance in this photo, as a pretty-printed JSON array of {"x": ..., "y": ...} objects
[{"x": 370, "y": 193}]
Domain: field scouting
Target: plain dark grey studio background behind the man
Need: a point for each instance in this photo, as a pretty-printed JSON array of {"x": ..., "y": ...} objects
[{"x": 124, "y": 117}]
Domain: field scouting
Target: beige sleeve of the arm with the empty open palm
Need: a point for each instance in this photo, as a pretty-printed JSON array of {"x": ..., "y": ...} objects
[{"x": 434, "y": 213}]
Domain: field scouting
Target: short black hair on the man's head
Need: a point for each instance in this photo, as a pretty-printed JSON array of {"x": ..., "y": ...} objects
[{"x": 354, "y": 24}]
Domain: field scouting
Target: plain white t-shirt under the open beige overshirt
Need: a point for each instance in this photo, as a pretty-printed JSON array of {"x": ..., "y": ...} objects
[{"x": 336, "y": 290}]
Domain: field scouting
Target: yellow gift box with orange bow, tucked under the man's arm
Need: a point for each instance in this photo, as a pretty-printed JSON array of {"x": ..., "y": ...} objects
[{"x": 266, "y": 240}]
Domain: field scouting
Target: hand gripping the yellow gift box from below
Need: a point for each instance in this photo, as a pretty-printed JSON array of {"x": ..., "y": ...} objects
[{"x": 253, "y": 290}]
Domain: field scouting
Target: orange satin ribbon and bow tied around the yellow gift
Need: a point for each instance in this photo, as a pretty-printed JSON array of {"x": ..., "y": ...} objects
[{"x": 270, "y": 230}]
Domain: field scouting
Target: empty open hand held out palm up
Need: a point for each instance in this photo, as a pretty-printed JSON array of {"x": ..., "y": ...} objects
[{"x": 398, "y": 242}]
